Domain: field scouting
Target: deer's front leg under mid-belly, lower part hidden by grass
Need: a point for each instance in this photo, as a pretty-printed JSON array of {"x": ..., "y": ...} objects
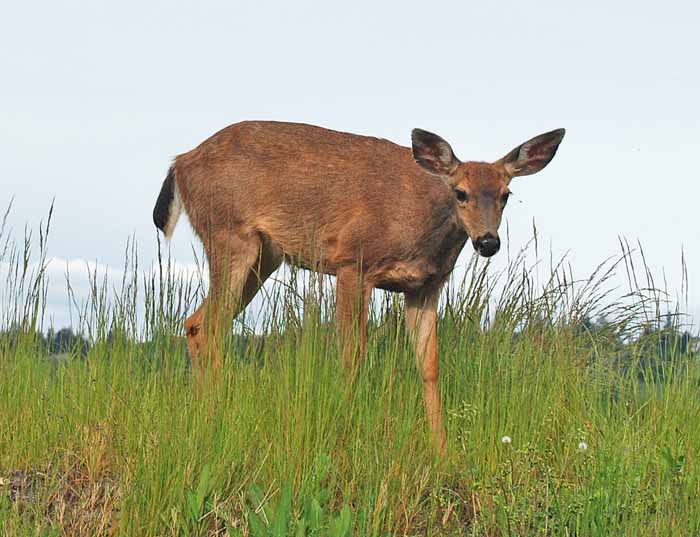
[{"x": 352, "y": 300}]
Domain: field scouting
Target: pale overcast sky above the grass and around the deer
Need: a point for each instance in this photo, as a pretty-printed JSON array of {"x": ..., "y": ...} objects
[{"x": 97, "y": 97}]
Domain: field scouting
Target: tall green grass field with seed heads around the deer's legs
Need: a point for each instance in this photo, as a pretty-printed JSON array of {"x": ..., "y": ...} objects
[{"x": 603, "y": 417}]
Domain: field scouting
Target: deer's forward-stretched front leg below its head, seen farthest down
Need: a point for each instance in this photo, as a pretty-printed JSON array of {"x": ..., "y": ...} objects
[{"x": 421, "y": 321}]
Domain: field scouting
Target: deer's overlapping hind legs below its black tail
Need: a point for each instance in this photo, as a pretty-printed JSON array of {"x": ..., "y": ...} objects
[{"x": 238, "y": 264}]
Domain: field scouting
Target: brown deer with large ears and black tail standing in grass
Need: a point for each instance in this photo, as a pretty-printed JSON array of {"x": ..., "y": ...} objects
[{"x": 372, "y": 213}]
